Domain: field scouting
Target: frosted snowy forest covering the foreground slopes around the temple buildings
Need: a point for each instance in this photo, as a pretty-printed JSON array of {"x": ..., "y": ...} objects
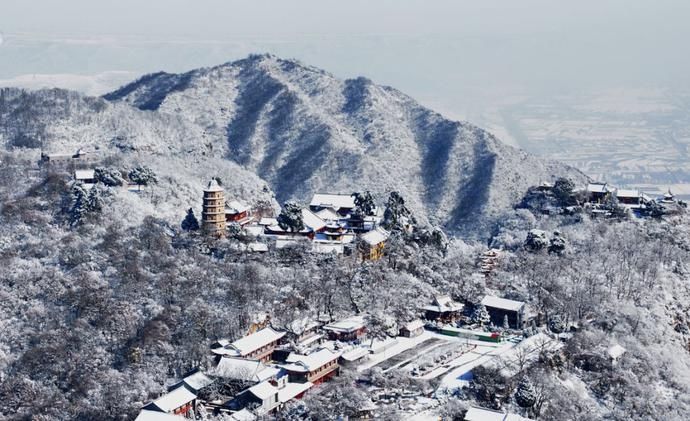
[{"x": 99, "y": 316}]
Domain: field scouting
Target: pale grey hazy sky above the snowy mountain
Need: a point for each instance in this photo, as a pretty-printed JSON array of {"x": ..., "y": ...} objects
[{"x": 446, "y": 48}]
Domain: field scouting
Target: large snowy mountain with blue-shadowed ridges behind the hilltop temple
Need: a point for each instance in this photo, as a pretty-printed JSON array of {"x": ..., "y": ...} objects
[{"x": 303, "y": 130}]
